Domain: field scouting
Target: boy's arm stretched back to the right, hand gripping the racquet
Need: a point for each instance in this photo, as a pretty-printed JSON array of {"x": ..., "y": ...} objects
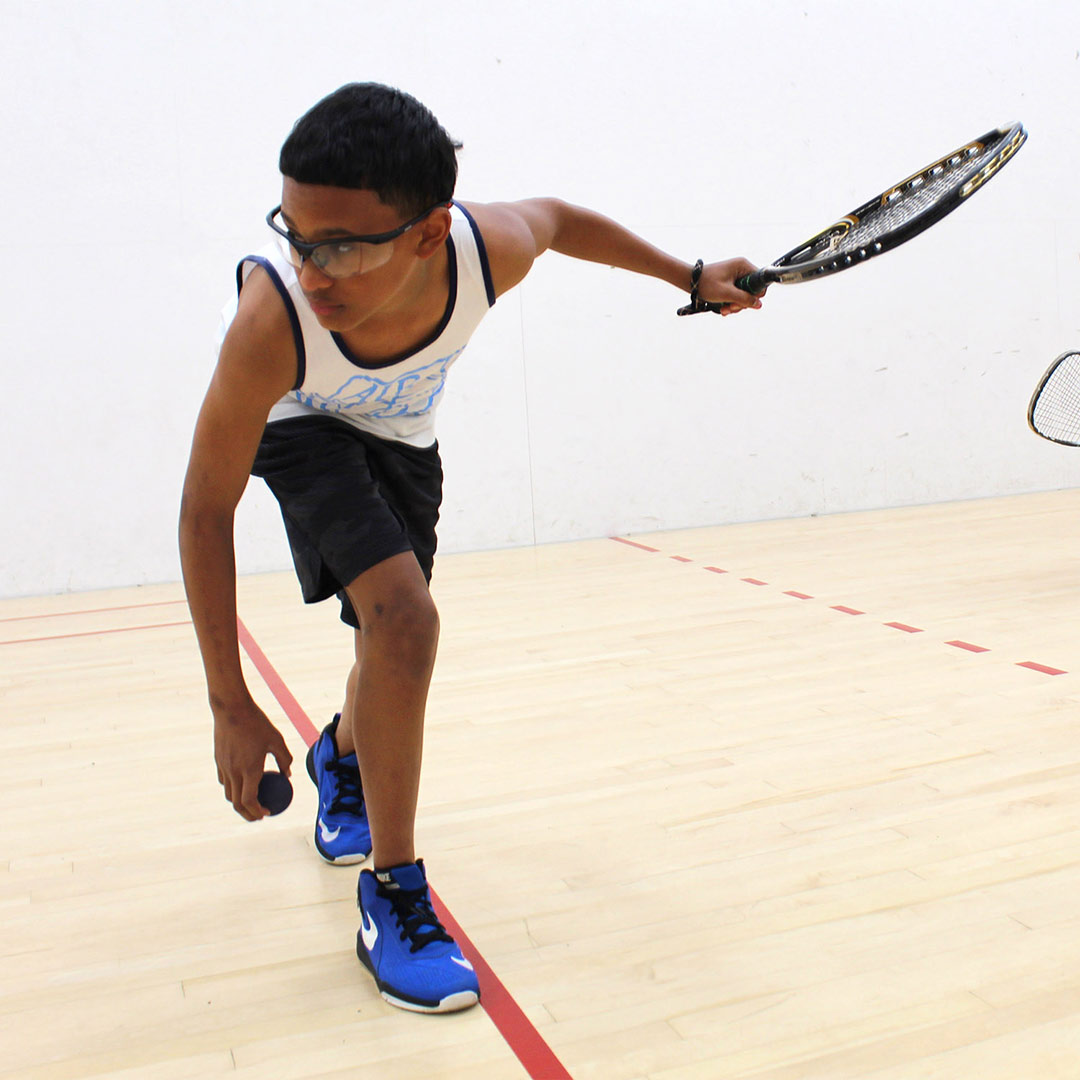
[{"x": 517, "y": 234}]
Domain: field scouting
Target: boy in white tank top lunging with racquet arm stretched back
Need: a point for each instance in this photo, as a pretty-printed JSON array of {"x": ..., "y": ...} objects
[{"x": 327, "y": 385}]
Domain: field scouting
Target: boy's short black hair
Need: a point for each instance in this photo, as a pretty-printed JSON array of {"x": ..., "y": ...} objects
[{"x": 367, "y": 136}]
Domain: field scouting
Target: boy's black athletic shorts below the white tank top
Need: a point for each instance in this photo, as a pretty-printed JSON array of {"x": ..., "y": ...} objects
[{"x": 349, "y": 502}]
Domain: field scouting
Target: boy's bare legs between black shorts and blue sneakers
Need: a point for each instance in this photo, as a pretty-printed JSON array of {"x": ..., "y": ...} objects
[{"x": 386, "y": 698}]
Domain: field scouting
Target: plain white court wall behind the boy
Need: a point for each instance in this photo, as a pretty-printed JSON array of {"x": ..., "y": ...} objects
[{"x": 141, "y": 144}]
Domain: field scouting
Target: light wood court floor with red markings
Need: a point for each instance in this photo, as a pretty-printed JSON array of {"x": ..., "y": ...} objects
[{"x": 807, "y": 819}]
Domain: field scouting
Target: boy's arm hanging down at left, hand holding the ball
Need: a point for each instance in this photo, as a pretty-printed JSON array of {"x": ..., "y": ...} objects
[{"x": 256, "y": 367}]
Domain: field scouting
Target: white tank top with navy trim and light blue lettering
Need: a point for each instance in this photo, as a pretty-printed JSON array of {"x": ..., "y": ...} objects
[{"x": 395, "y": 399}]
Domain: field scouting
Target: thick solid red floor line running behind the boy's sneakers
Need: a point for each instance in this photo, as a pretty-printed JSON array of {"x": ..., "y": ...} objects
[{"x": 512, "y": 1024}]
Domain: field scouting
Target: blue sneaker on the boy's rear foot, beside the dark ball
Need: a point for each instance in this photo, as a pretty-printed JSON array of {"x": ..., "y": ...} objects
[{"x": 343, "y": 835}]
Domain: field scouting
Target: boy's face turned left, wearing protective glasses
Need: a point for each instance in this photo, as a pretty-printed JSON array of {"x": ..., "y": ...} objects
[{"x": 316, "y": 212}]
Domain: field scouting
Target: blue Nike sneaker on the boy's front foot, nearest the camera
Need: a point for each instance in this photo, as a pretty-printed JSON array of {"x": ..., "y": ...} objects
[{"x": 415, "y": 962}]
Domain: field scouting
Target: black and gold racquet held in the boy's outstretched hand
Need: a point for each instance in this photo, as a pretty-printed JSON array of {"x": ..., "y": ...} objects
[{"x": 887, "y": 221}]
